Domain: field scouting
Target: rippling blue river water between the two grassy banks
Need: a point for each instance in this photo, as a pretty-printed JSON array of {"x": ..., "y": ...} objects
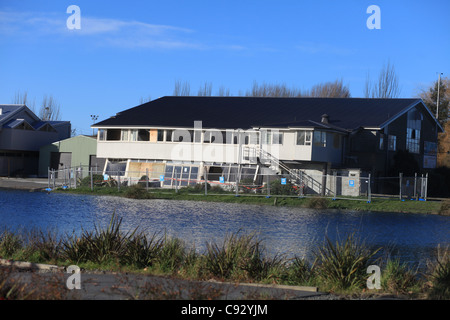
[{"x": 292, "y": 231}]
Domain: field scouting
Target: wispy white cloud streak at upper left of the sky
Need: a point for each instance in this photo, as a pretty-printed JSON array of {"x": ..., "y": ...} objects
[{"x": 103, "y": 31}]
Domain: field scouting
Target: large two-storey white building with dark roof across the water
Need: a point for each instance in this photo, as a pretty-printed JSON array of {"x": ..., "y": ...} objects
[{"x": 194, "y": 136}]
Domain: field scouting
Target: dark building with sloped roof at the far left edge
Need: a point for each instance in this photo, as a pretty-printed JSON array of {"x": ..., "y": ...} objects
[{"x": 22, "y": 133}]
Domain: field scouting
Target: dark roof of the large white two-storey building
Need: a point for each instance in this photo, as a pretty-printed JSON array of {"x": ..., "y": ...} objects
[{"x": 247, "y": 112}]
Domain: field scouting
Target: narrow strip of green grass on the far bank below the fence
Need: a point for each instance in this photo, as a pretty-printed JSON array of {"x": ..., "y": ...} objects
[{"x": 217, "y": 195}]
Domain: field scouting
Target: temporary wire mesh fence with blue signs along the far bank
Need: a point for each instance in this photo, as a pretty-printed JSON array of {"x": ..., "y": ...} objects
[{"x": 244, "y": 180}]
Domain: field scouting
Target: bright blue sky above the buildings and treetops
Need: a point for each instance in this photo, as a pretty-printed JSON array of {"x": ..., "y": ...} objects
[{"x": 128, "y": 50}]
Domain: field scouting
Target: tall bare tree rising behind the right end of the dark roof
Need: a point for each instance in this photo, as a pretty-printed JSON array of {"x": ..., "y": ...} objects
[{"x": 387, "y": 85}]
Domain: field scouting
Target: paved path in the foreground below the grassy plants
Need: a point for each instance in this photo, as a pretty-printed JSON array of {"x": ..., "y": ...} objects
[{"x": 48, "y": 280}]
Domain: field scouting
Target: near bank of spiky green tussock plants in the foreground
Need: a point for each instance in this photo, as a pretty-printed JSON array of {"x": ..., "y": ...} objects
[{"x": 339, "y": 267}]
